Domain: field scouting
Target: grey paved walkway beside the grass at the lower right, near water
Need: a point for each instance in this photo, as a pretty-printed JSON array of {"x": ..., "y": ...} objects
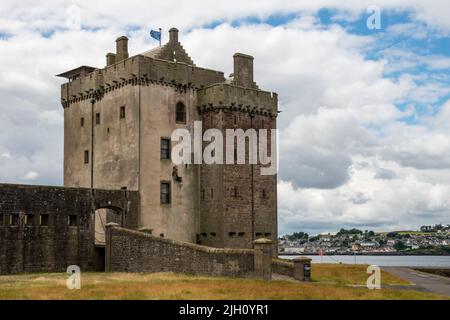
[{"x": 423, "y": 281}]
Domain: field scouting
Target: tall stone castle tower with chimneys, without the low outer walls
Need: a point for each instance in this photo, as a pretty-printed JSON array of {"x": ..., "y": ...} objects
[{"x": 118, "y": 121}]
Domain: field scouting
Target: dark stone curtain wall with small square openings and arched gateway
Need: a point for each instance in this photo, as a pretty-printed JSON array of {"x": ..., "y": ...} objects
[{"x": 48, "y": 228}]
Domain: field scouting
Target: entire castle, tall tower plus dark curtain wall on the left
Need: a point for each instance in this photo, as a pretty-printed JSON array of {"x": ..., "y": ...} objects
[{"x": 118, "y": 122}]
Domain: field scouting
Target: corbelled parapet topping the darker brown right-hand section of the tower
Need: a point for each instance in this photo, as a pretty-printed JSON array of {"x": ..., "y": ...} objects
[{"x": 231, "y": 97}]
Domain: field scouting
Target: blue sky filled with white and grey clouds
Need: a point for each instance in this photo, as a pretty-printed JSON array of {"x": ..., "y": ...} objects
[{"x": 365, "y": 122}]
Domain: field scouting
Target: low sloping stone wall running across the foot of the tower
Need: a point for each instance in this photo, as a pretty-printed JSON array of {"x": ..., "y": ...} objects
[{"x": 134, "y": 251}]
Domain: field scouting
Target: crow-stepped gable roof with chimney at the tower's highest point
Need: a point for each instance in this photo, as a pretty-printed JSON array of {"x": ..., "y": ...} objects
[{"x": 171, "y": 51}]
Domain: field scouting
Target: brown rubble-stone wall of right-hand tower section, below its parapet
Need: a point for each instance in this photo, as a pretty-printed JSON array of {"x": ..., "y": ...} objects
[{"x": 237, "y": 203}]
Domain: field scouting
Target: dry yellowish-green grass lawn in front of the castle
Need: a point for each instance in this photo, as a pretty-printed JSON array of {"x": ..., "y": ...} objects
[{"x": 329, "y": 282}]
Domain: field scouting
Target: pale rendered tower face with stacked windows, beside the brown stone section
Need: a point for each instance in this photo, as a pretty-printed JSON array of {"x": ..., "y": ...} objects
[{"x": 178, "y": 220}]
